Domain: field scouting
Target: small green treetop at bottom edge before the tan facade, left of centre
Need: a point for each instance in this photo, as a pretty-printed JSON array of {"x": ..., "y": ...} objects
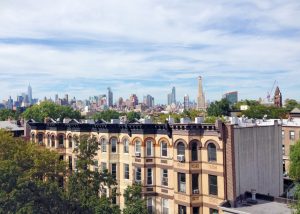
[{"x": 134, "y": 202}]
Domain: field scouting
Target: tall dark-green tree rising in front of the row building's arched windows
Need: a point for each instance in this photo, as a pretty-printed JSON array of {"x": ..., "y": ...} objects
[{"x": 85, "y": 186}]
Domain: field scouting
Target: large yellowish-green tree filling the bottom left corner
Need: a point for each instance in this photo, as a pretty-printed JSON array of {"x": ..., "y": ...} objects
[{"x": 23, "y": 169}]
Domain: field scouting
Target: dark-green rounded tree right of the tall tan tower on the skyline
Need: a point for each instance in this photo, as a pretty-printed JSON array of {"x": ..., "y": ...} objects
[{"x": 219, "y": 108}]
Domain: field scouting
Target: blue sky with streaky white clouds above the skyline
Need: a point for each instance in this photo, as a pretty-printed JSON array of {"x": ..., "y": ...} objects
[{"x": 147, "y": 46}]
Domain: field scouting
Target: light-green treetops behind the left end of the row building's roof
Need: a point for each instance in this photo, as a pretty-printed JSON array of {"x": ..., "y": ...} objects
[{"x": 50, "y": 109}]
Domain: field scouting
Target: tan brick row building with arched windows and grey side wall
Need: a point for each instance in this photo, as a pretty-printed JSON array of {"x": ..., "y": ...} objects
[{"x": 183, "y": 168}]
